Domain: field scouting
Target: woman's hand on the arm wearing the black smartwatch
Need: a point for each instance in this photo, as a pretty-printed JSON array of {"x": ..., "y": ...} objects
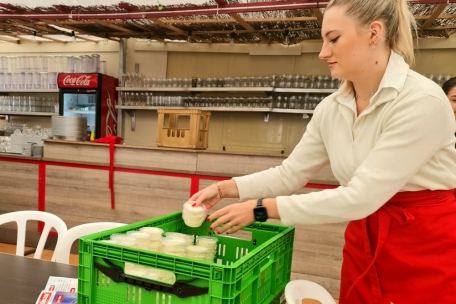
[{"x": 234, "y": 217}]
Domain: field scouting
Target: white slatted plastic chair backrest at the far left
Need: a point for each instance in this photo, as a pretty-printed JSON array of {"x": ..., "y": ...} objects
[{"x": 21, "y": 217}]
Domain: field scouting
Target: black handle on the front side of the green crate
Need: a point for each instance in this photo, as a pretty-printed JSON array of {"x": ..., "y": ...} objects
[{"x": 181, "y": 290}]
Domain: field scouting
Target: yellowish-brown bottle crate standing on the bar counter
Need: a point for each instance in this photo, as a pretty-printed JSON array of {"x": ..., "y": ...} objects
[{"x": 183, "y": 128}]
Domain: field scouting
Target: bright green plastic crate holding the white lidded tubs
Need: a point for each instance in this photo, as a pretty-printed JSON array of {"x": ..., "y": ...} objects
[{"x": 247, "y": 271}]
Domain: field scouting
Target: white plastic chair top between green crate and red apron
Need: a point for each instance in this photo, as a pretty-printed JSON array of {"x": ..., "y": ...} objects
[{"x": 297, "y": 290}]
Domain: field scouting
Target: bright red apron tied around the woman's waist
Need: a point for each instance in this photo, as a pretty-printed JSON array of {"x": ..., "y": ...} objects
[{"x": 403, "y": 253}]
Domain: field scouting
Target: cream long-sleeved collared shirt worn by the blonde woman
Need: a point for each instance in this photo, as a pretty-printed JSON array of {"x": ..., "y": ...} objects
[{"x": 402, "y": 141}]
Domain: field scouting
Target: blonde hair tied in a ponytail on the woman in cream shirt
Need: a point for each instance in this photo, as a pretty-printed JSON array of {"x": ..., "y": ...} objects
[{"x": 394, "y": 14}]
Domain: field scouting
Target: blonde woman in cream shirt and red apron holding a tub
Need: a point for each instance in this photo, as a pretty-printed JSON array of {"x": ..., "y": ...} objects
[{"x": 388, "y": 135}]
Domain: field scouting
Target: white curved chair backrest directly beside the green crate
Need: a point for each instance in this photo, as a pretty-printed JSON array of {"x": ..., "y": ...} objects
[{"x": 62, "y": 251}]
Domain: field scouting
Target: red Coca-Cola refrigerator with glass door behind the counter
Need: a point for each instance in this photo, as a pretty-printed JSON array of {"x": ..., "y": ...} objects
[{"x": 90, "y": 95}]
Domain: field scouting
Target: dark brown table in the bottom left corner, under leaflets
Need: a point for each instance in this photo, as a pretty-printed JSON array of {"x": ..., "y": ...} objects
[{"x": 22, "y": 279}]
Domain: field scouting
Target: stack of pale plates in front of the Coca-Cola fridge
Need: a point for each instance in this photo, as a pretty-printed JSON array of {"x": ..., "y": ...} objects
[{"x": 69, "y": 127}]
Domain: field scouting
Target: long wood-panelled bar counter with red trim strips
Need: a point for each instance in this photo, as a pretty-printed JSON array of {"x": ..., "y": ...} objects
[{"x": 74, "y": 179}]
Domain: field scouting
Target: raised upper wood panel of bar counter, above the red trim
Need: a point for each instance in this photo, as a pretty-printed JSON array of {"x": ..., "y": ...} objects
[{"x": 170, "y": 160}]
